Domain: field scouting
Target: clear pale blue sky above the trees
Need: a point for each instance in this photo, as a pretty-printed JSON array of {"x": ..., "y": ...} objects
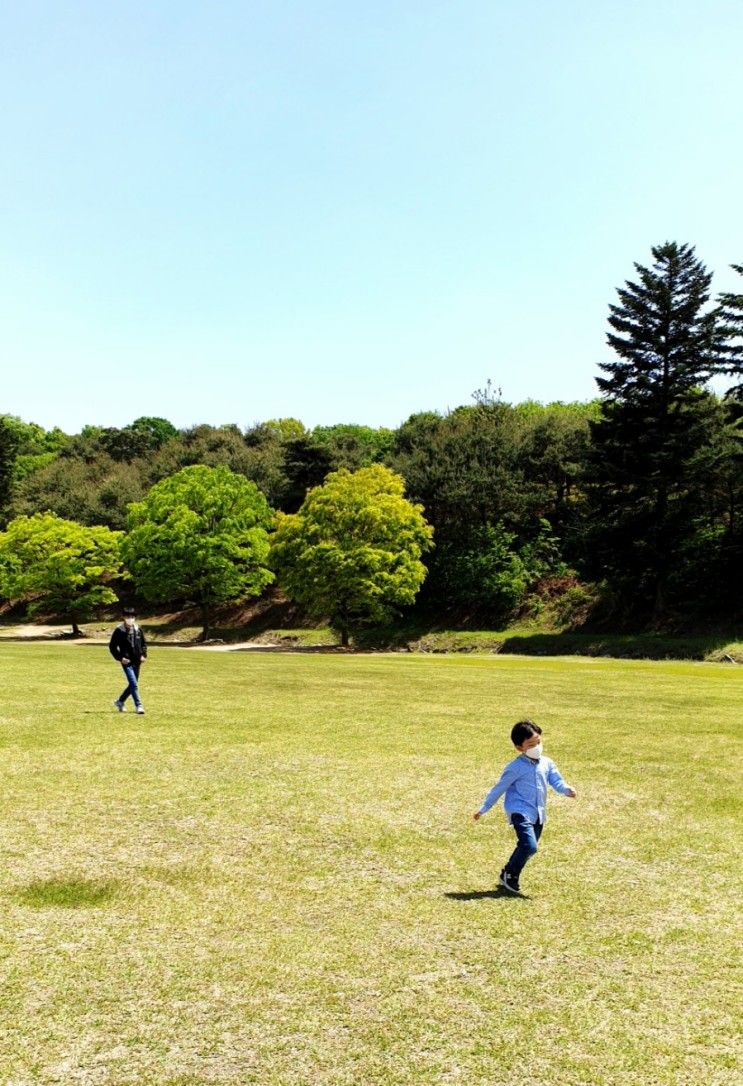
[{"x": 347, "y": 211}]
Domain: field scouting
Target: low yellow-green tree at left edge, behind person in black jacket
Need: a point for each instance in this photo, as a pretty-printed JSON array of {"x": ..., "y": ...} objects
[{"x": 59, "y": 565}]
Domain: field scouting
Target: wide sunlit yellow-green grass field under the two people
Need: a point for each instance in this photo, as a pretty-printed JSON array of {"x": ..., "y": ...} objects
[{"x": 274, "y": 876}]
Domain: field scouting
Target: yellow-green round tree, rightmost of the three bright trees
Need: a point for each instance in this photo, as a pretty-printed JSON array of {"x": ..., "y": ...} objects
[{"x": 354, "y": 551}]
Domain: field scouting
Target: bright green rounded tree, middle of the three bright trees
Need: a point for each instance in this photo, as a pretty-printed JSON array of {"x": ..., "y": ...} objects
[{"x": 203, "y": 535}]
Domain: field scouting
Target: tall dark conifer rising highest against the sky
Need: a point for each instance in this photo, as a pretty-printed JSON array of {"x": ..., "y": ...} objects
[{"x": 654, "y": 423}]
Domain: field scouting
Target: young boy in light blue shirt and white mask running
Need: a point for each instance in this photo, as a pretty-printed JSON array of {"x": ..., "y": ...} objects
[{"x": 525, "y": 781}]
